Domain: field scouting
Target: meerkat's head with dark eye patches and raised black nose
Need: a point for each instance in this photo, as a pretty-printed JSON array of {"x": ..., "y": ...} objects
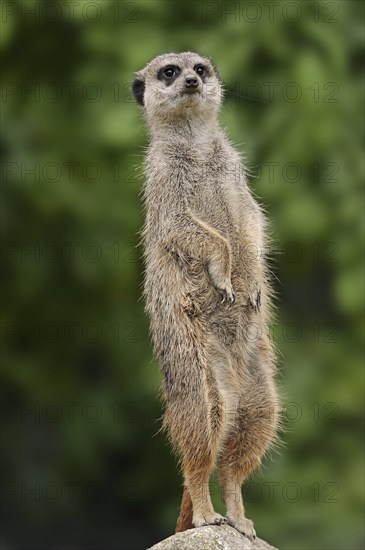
[{"x": 178, "y": 86}]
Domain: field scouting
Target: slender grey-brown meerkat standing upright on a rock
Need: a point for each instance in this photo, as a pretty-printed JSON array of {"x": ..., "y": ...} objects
[{"x": 206, "y": 288}]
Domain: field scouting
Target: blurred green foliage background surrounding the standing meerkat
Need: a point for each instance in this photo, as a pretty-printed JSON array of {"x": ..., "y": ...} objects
[{"x": 83, "y": 465}]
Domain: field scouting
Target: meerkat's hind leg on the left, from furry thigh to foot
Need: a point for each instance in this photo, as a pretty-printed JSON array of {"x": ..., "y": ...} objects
[{"x": 195, "y": 420}]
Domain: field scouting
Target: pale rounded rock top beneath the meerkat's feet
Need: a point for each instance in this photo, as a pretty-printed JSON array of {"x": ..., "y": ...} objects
[{"x": 211, "y": 537}]
